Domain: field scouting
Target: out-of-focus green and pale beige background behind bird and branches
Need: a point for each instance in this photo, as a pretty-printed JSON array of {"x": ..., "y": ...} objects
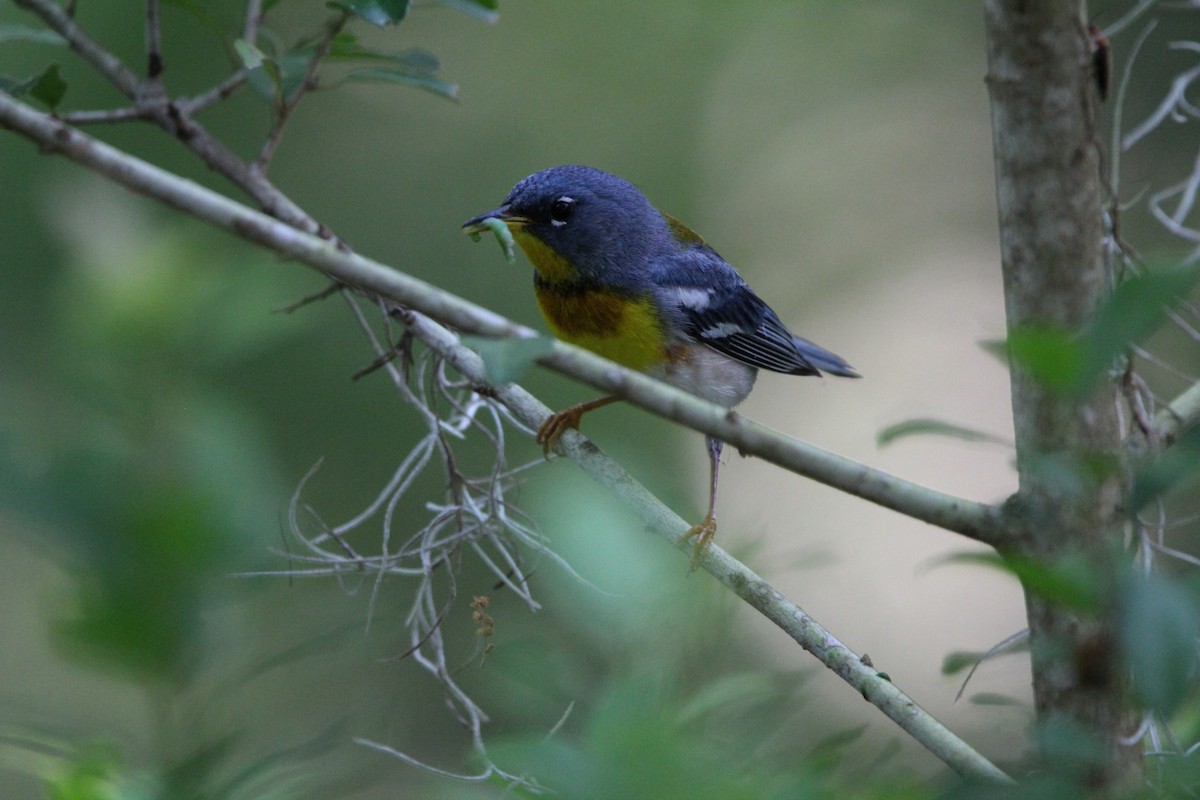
[{"x": 157, "y": 416}]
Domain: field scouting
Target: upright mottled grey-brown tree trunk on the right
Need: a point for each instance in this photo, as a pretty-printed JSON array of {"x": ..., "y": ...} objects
[{"x": 1049, "y": 197}]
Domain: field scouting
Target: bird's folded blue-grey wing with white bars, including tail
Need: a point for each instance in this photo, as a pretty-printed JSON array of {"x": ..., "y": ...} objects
[{"x": 715, "y": 306}]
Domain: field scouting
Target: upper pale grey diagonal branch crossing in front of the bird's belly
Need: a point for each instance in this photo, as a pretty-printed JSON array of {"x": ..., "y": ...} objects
[{"x": 977, "y": 521}]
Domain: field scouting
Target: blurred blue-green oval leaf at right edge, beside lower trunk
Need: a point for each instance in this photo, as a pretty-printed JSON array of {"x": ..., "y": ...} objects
[{"x": 1159, "y": 629}]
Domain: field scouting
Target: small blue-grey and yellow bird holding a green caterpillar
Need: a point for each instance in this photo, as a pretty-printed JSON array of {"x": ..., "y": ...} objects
[{"x": 635, "y": 286}]
